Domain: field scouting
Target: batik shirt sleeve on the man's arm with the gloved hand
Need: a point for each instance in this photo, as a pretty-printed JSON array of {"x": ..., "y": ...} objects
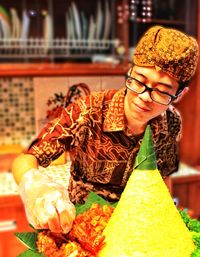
[{"x": 57, "y": 136}]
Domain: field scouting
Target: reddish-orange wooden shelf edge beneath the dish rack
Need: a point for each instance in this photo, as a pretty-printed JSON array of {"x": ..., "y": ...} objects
[{"x": 62, "y": 69}]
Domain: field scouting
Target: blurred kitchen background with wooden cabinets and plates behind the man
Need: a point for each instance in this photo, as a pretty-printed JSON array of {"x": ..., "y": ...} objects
[{"x": 48, "y": 46}]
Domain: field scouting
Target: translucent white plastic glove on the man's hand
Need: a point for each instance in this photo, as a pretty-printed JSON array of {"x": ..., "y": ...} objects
[{"x": 46, "y": 202}]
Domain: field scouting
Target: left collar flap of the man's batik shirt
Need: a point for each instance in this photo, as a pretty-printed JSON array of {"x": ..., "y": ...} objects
[{"x": 114, "y": 118}]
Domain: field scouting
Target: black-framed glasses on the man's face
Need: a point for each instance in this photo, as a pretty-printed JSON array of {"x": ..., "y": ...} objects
[{"x": 156, "y": 95}]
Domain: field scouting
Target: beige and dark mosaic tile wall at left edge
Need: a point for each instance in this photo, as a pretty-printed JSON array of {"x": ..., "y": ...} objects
[{"x": 17, "y": 119}]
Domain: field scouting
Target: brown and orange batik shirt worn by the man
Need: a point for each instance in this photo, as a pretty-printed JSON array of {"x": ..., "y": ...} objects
[{"x": 102, "y": 151}]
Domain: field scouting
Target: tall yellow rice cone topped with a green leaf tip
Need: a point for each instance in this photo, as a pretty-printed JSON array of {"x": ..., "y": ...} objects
[{"x": 146, "y": 223}]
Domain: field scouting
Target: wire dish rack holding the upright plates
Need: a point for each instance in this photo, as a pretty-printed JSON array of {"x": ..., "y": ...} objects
[{"x": 56, "y": 48}]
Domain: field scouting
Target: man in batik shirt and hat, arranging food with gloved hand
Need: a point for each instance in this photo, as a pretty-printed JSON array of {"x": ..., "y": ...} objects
[{"x": 104, "y": 131}]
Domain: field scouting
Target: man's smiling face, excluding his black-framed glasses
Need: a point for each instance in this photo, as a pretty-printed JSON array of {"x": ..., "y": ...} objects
[{"x": 141, "y": 107}]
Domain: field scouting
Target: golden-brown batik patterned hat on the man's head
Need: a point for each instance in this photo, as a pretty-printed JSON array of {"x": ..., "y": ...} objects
[{"x": 168, "y": 50}]
